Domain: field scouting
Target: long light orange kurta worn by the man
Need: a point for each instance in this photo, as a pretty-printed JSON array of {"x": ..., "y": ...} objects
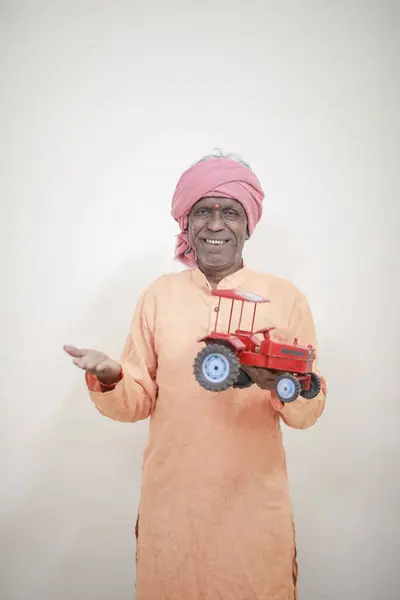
[{"x": 215, "y": 513}]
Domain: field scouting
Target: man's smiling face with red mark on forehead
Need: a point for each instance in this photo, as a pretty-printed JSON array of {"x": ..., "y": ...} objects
[{"x": 217, "y": 232}]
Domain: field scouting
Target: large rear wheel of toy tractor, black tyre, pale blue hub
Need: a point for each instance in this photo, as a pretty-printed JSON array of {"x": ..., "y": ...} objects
[{"x": 216, "y": 367}]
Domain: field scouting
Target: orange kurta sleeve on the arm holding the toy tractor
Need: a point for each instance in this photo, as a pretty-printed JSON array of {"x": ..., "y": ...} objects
[{"x": 303, "y": 413}]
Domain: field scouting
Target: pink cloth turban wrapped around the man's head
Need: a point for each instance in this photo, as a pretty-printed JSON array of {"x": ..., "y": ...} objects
[{"x": 220, "y": 177}]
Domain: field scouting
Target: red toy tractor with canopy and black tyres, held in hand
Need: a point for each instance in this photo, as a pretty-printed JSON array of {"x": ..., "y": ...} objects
[{"x": 218, "y": 366}]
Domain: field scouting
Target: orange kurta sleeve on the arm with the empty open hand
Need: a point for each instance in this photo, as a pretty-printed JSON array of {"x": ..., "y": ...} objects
[{"x": 133, "y": 398}]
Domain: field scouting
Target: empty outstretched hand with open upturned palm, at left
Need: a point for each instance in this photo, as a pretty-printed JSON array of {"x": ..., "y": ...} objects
[{"x": 106, "y": 369}]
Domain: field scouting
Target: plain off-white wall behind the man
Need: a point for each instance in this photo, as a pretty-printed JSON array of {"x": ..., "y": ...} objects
[{"x": 103, "y": 105}]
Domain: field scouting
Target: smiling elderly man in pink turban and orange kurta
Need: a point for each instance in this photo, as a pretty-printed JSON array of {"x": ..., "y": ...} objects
[{"x": 215, "y": 519}]
